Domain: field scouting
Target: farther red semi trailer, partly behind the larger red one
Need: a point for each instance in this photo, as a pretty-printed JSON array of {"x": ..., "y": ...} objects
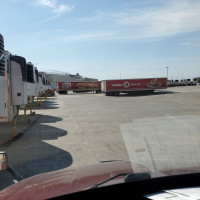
[{"x": 64, "y": 87}]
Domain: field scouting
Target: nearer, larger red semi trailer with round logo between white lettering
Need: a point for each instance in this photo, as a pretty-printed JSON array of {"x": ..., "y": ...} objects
[{"x": 115, "y": 87}]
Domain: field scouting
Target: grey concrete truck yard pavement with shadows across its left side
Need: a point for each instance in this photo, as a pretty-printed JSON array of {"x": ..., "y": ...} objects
[{"x": 82, "y": 129}]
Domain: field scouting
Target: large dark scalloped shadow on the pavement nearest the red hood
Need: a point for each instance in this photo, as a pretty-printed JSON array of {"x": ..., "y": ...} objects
[{"x": 33, "y": 153}]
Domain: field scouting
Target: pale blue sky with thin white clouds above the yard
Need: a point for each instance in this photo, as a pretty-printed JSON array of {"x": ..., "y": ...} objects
[{"x": 105, "y": 39}]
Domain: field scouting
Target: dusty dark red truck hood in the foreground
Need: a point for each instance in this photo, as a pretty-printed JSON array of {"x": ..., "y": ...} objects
[{"x": 65, "y": 181}]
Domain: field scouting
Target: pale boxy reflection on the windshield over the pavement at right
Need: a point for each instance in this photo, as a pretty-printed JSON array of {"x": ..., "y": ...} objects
[{"x": 163, "y": 143}]
